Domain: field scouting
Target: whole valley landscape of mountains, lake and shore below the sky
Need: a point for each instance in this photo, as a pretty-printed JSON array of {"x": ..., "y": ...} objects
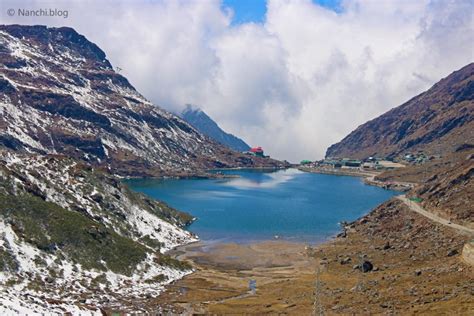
[{"x": 102, "y": 191}]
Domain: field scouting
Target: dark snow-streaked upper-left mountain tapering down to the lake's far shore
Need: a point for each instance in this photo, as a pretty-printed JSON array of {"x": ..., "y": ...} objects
[{"x": 60, "y": 95}]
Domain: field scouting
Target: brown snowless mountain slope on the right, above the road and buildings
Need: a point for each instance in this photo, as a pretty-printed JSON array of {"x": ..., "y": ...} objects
[{"x": 439, "y": 123}]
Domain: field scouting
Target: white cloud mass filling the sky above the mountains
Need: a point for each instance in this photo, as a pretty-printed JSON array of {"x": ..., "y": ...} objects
[{"x": 295, "y": 84}]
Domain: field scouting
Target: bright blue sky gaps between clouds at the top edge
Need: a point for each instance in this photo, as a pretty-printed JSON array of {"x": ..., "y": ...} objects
[{"x": 254, "y": 10}]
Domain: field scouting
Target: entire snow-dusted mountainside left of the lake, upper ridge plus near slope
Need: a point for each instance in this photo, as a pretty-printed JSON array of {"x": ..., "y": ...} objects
[{"x": 73, "y": 238}]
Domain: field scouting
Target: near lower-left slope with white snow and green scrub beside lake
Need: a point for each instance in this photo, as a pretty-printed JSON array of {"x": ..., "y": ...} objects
[{"x": 73, "y": 238}]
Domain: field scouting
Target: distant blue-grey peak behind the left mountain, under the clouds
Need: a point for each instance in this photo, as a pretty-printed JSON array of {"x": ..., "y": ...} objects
[{"x": 204, "y": 124}]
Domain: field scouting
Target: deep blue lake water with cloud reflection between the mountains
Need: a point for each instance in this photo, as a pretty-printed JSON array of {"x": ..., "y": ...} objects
[{"x": 291, "y": 204}]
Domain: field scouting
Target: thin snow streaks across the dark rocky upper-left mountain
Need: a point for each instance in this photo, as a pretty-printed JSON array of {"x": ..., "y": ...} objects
[{"x": 61, "y": 71}]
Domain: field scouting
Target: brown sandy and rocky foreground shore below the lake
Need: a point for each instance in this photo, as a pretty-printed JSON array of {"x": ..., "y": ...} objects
[{"x": 417, "y": 268}]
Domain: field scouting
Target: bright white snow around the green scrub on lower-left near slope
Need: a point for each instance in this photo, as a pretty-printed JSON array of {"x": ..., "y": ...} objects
[{"x": 21, "y": 298}]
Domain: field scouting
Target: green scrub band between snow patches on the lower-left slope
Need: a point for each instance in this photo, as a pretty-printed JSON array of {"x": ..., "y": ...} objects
[{"x": 50, "y": 227}]
